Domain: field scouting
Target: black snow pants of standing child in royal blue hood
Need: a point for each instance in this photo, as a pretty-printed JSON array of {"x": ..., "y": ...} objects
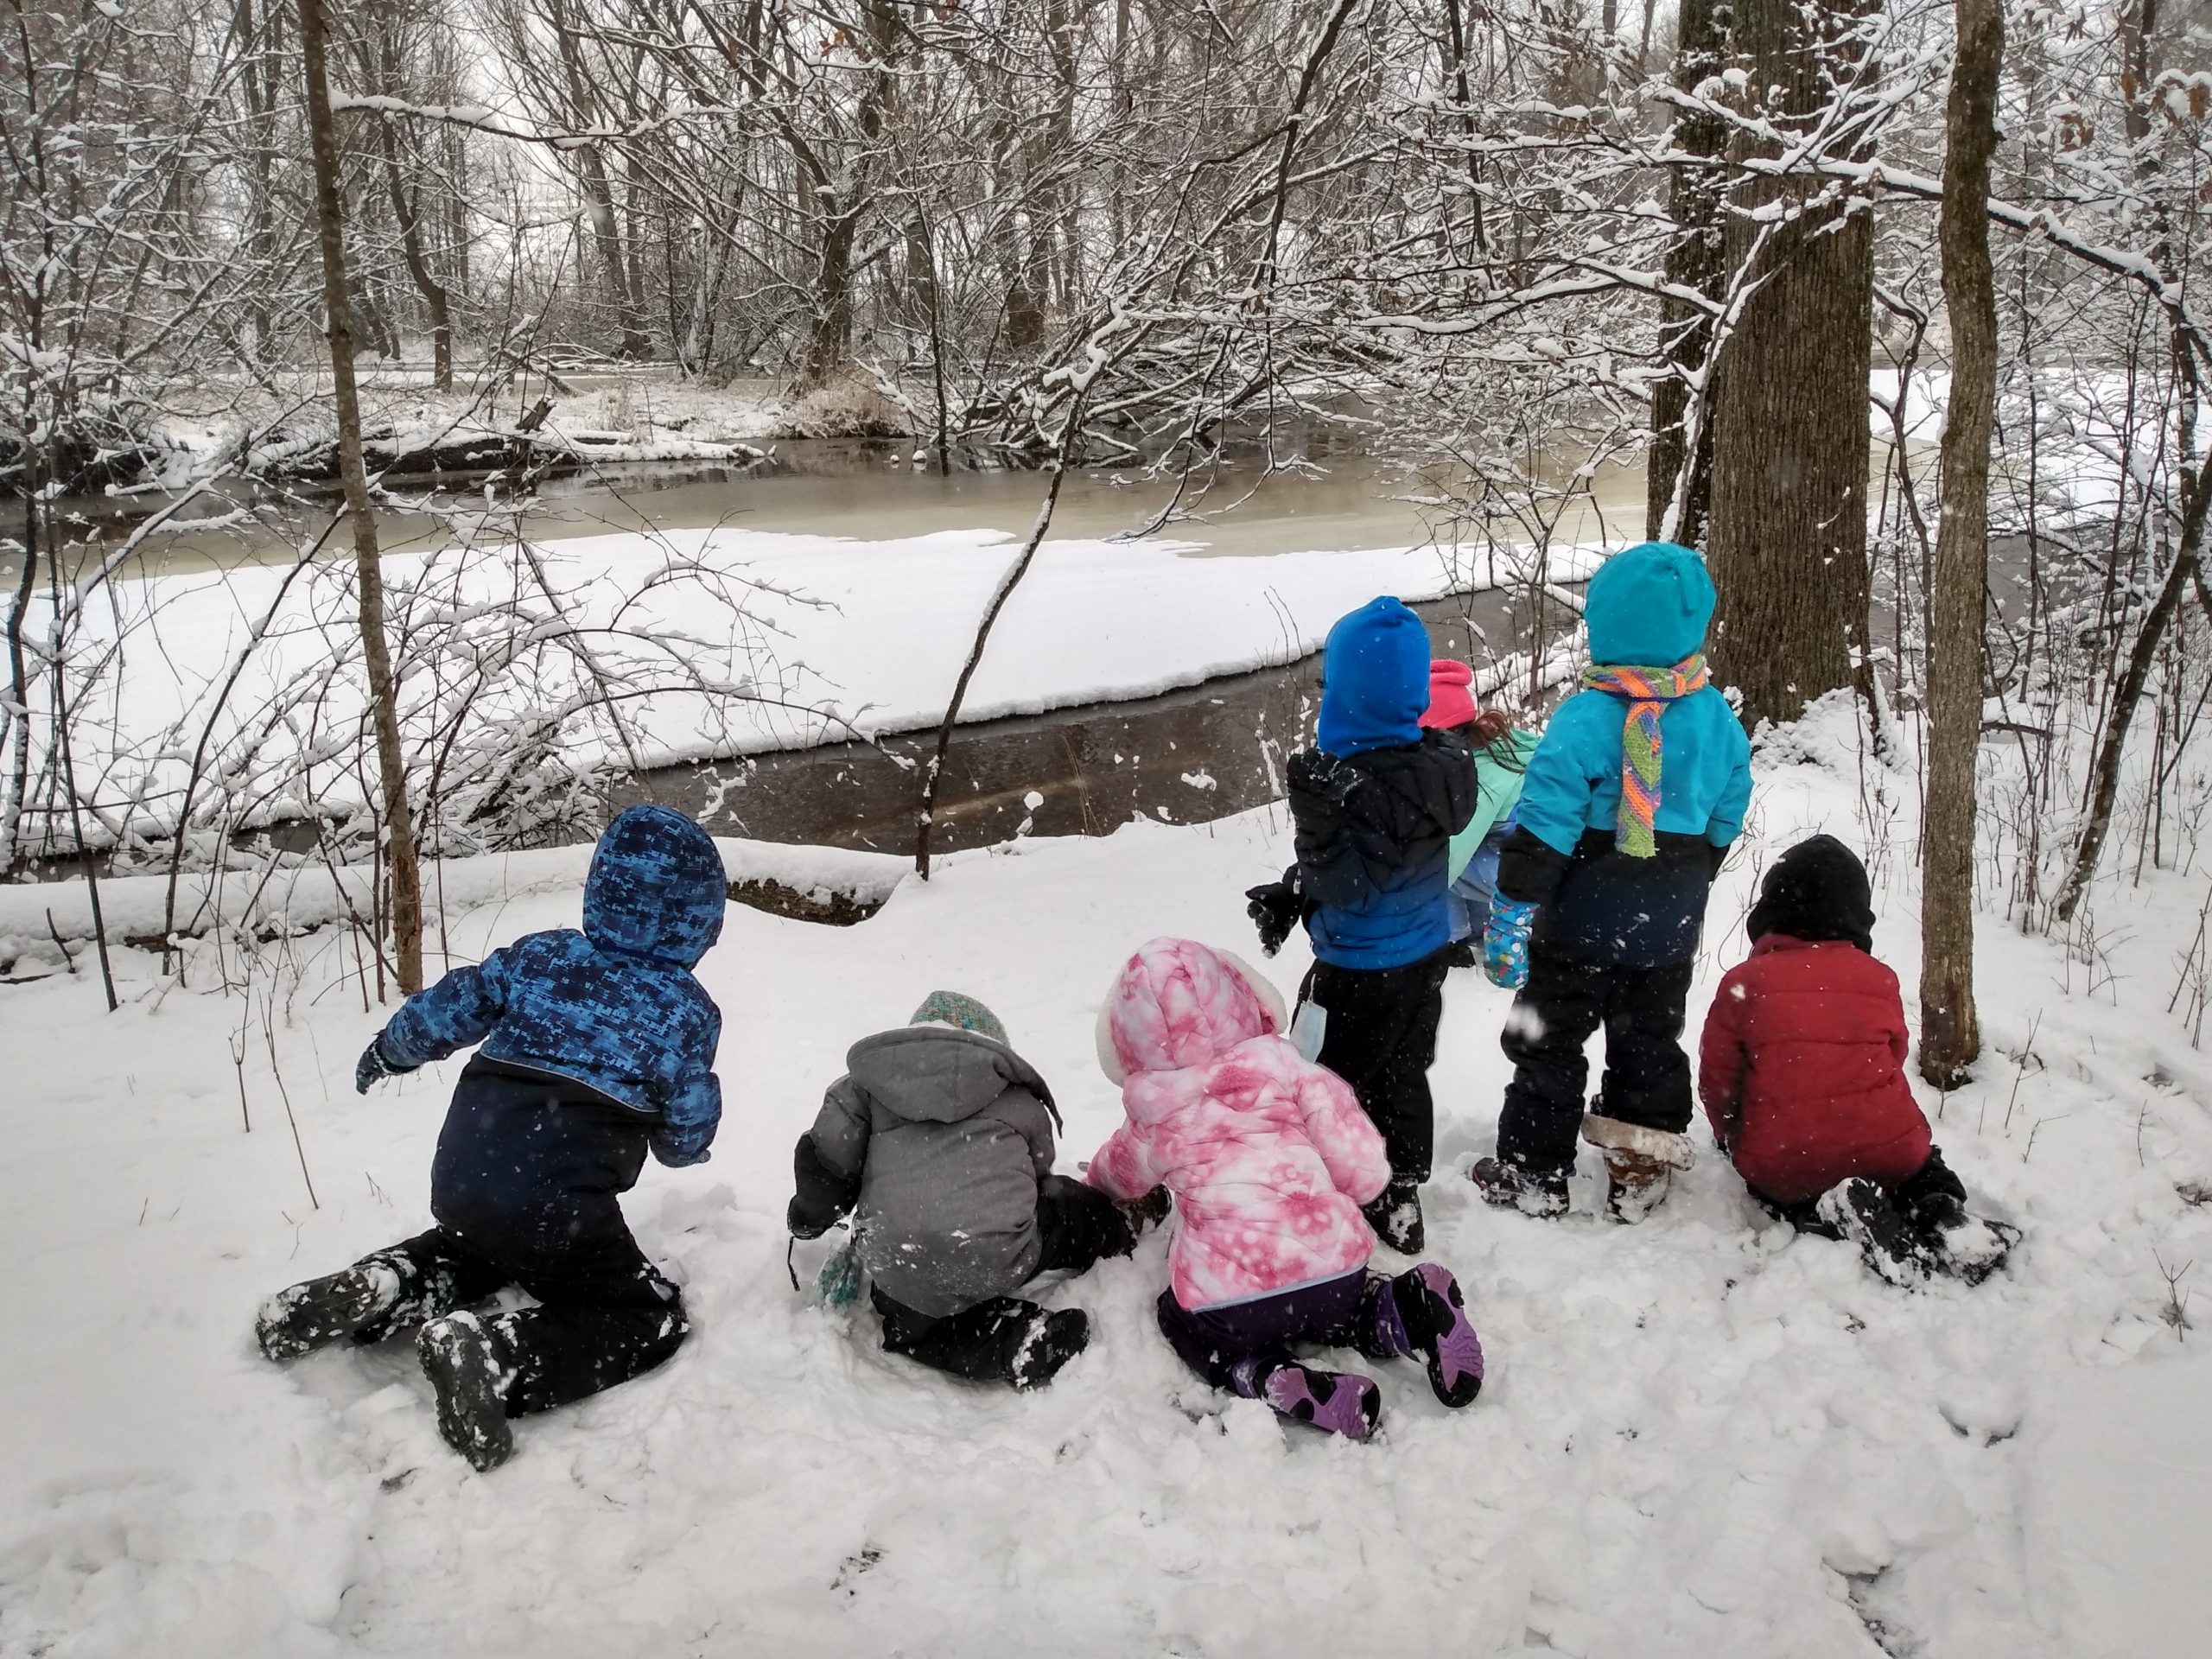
[{"x": 1381, "y": 1039}]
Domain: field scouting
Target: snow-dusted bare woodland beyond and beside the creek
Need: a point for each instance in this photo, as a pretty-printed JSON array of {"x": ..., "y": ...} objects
[{"x": 1514, "y": 244}]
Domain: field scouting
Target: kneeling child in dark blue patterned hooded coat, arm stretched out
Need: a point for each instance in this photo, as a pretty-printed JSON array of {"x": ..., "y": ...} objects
[{"x": 594, "y": 1047}]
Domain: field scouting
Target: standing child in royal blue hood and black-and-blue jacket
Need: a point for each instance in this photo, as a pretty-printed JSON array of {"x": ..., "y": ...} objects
[{"x": 1375, "y": 811}]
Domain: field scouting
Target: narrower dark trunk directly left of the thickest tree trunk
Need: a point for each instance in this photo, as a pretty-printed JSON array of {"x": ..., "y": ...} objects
[{"x": 1682, "y": 432}]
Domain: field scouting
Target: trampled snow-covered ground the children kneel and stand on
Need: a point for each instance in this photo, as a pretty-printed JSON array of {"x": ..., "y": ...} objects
[{"x": 1702, "y": 1437}]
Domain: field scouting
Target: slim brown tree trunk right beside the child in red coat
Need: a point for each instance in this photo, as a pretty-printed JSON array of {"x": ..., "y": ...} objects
[{"x": 1950, "y": 1032}]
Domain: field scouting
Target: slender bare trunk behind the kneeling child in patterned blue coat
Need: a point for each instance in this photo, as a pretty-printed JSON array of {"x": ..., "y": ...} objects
[{"x": 375, "y": 651}]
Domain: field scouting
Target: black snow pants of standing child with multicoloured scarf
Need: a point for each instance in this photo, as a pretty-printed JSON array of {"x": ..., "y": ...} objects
[{"x": 1556, "y": 1014}]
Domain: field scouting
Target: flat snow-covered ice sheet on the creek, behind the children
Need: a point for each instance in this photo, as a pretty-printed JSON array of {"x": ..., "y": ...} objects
[{"x": 711, "y": 643}]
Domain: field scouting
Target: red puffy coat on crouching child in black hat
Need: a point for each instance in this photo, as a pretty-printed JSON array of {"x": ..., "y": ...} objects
[{"x": 1804, "y": 1072}]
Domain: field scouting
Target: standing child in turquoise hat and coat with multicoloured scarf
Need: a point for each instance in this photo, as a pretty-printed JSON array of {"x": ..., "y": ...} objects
[{"x": 1625, "y": 817}]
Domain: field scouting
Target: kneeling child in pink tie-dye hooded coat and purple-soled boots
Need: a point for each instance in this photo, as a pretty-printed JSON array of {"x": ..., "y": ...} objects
[{"x": 1271, "y": 1160}]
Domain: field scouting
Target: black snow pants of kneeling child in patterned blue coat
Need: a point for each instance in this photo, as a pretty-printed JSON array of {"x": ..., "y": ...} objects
[{"x": 603, "y": 1317}]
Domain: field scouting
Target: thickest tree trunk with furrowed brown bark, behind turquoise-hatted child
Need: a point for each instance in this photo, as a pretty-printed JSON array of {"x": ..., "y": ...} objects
[{"x": 1791, "y": 444}]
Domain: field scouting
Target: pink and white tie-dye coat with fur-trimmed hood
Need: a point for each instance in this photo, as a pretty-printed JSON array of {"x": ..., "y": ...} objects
[{"x": 1269, "y": 1156}]
